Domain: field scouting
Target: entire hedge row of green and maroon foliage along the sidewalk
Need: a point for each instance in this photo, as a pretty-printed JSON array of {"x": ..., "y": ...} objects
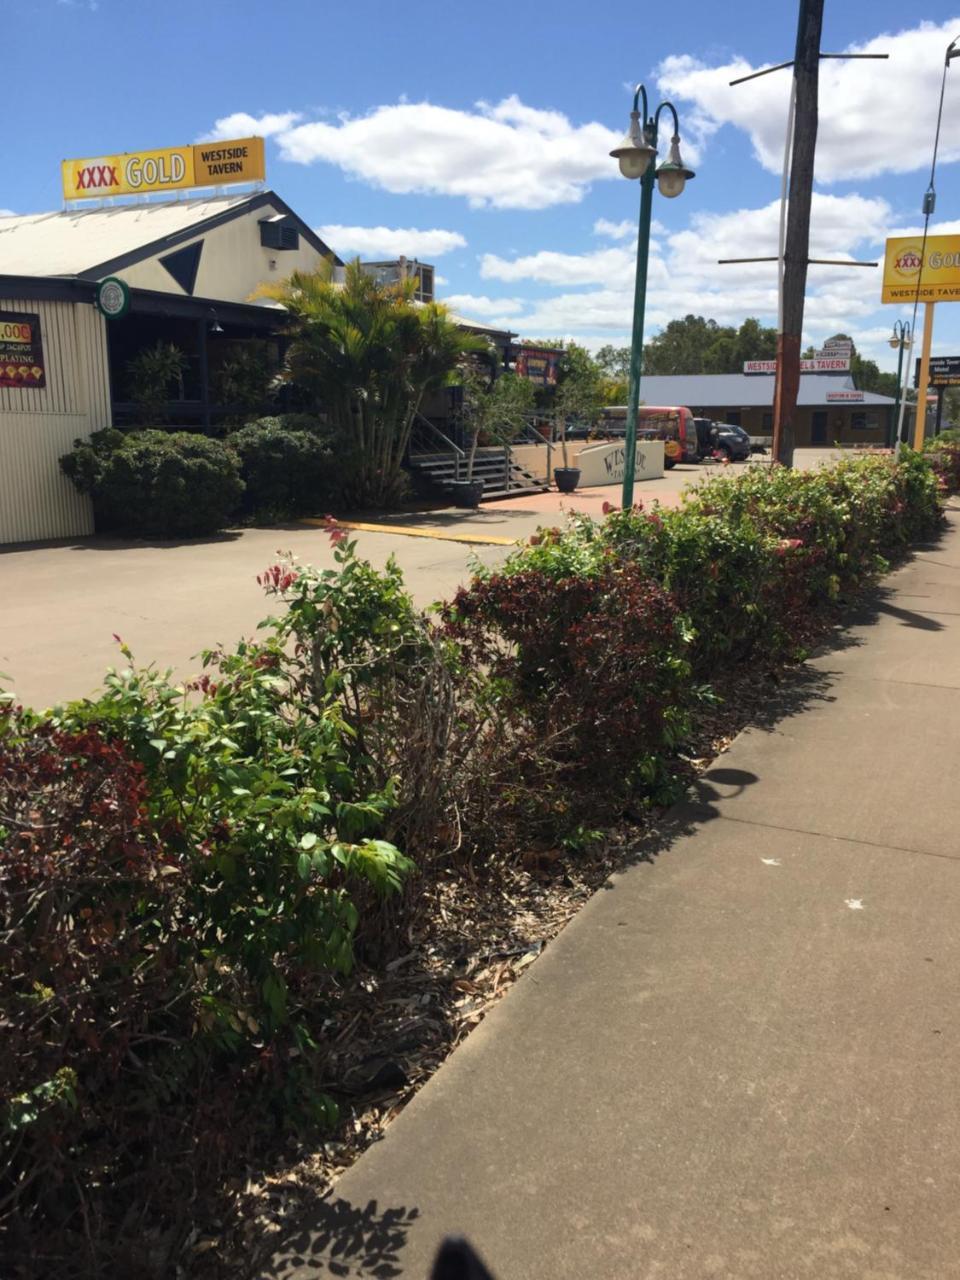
[{"x": 189, "y": 874}]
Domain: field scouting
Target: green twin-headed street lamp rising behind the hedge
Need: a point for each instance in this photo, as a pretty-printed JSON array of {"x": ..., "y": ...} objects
[{"x": 636, "y": 156}]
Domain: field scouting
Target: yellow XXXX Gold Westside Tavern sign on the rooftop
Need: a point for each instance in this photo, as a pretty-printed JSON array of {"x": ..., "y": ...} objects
[{"x": 136, "y": 173}]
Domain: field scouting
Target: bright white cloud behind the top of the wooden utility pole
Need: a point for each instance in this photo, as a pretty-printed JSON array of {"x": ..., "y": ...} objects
[{"x": 876, "y": 117}]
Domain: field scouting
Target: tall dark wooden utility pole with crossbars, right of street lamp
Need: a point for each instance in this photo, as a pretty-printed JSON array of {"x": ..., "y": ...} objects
[{"x": 807, "y": 66}]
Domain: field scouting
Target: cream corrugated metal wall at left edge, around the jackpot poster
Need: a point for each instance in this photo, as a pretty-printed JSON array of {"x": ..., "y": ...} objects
[{"x": 39, "y": 426}]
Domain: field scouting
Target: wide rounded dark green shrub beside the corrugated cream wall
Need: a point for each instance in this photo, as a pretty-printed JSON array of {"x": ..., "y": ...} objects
[{"x": 168, "y": 484}]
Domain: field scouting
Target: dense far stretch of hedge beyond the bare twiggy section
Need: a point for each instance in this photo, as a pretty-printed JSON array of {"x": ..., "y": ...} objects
[{"x": 602, "y": 638}]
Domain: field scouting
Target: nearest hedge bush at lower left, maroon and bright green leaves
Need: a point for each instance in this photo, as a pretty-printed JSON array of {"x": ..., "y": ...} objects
[{"x": 184, "y": 872}]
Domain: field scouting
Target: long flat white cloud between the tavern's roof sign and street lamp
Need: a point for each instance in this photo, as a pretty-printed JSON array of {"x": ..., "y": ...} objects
[{"x": 505, "y": 157}]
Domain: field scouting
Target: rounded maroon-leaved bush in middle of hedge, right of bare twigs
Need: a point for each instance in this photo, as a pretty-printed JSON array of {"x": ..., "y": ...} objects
[{"x": 589, "y": 671}]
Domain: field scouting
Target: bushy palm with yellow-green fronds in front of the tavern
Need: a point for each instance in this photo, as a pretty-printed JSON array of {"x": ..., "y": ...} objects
[{"x": 367, "y": 354}]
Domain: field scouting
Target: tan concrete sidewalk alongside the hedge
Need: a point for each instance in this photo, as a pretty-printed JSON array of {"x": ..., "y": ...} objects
[{"x": 742, "y": 1058}]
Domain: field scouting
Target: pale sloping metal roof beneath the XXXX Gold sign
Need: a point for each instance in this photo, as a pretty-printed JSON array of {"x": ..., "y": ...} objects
[{"x": 79, "y": 240}]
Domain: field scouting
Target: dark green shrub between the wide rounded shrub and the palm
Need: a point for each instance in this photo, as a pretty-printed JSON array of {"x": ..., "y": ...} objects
[{"x": 286, "y": 469}]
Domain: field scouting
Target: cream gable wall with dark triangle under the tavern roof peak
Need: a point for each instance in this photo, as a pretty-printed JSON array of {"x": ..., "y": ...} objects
[{"x": 232, "y": 264}]
